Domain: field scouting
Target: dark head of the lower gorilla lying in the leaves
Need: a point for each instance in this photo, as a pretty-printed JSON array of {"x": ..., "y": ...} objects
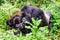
[{"x": 14, "y": 21}]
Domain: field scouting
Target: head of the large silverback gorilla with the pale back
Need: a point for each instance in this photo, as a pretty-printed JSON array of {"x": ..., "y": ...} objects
[{"x": 26, "y": 11}]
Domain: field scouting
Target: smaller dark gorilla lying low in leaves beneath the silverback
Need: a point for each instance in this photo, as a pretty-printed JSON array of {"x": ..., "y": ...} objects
[{"x": 16, "y": 22}]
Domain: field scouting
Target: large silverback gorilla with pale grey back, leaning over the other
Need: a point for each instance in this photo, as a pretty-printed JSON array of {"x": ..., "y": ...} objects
[{"x": 37, "y": 13}]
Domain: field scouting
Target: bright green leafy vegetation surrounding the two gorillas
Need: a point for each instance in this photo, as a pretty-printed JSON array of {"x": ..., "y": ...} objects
[{"x": 8, "y": 7}]
